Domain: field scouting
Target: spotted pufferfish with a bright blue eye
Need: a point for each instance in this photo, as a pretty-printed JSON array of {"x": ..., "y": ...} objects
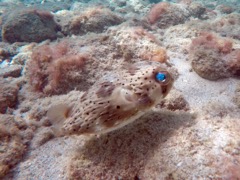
[{"x": 114, "y": 101}]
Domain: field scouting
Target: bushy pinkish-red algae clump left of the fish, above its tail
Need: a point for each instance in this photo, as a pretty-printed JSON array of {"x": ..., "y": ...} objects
[{"x": 54, "y": 69}]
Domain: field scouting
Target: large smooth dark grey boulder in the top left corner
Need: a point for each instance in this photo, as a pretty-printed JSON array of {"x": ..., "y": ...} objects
[{"x": 29, "y": 25}]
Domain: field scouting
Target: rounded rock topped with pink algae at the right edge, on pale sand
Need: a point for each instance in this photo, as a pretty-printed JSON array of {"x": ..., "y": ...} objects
[{"x": 214, "y": 57}]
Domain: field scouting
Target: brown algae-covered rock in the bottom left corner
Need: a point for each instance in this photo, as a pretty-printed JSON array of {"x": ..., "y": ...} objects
[{"x": 14, "y": 137}]
